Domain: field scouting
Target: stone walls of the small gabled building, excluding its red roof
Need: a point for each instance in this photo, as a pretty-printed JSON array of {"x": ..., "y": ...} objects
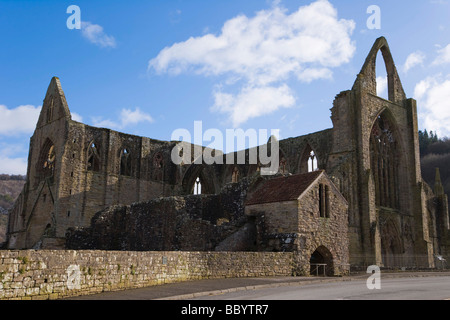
[{"x": 297, "y": 226}]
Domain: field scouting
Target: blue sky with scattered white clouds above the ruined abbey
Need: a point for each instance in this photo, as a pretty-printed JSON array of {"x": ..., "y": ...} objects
[{"x": 150, "y": 67}]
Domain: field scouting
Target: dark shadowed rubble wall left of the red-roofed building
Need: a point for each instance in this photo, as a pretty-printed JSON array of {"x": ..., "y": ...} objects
[{"x": 200, "y": 223}]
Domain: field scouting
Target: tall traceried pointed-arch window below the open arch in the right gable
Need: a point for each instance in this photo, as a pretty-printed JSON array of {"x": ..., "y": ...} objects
[{"x": 384, "y": 162}]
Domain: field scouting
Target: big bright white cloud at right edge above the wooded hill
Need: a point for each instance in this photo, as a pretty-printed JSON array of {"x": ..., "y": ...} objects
[{"x": 433, "y": 96}]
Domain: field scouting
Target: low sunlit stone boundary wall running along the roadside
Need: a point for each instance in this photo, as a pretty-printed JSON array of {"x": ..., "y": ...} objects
[{"x": 54, "y": 274}]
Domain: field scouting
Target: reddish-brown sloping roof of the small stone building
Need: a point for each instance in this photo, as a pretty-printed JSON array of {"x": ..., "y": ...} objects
[{"x": 282, "y": 188}]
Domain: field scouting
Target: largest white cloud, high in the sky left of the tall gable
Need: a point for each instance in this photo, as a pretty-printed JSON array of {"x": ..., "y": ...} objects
[{"x": 263, "y": 52}]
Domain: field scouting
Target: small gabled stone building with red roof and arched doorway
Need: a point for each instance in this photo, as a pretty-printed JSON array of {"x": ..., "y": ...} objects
[{"x": 304, "y": 213}]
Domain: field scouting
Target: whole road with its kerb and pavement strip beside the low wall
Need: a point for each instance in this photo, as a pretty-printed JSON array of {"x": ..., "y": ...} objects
[{"x": 406, "y": 286}]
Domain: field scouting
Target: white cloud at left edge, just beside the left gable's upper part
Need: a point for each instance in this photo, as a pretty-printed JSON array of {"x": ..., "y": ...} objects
[{"x": 21, "y": 120}]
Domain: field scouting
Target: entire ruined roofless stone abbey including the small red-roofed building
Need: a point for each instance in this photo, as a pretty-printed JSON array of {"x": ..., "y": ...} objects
[{"x": 352, "y": 195}]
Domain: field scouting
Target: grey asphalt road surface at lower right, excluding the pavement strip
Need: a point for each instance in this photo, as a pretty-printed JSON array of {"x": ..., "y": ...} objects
[{"x": 413, "y": 288}]
